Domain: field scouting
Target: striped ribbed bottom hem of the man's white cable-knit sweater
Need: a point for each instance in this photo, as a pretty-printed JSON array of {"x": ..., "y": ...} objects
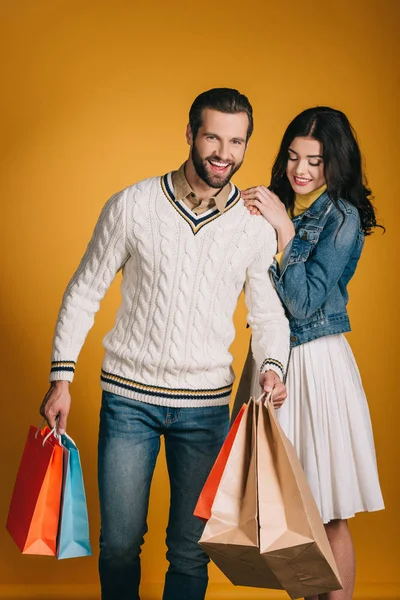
[{"x": 161, "y": 396}]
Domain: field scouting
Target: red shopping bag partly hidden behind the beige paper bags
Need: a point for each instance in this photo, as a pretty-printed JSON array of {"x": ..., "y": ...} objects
[{"x": 207, "y": 495}]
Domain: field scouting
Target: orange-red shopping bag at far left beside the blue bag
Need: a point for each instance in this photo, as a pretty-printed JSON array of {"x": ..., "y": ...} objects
[{"x": 35, "y": 503}]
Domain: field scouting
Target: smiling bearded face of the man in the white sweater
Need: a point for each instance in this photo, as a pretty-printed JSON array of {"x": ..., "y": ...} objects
[{"x": 220, "y": 145}]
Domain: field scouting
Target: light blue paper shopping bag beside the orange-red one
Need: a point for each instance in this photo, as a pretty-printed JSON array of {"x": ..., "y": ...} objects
[{"x": 73, "y": 536}]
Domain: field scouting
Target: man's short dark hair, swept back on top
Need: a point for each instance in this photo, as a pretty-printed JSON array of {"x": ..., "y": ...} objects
[{"x": 225, "y": 100}]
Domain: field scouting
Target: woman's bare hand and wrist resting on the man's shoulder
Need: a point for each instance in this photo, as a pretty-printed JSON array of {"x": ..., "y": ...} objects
[{"x": 260, "y": 200}]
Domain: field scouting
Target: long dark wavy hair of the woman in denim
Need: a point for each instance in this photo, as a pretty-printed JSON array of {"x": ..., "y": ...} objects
[{"x": 342, "y": 161}]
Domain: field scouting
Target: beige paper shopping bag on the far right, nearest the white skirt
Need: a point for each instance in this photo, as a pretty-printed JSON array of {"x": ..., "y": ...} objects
[{"x": 293, "y": 542}]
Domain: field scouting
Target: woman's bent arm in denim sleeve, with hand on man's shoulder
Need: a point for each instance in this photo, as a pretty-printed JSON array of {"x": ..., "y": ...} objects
[{"x": 308, "y": 265}]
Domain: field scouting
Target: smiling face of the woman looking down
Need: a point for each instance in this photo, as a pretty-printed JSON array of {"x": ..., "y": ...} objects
[{"x": 305, "y": 167}]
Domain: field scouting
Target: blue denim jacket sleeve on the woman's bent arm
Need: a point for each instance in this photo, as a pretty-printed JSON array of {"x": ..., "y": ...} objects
[{"x": 314, "y": 261}]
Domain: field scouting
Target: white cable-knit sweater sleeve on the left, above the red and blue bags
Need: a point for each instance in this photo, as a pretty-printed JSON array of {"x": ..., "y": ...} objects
[{"x": 104, "y": 257}]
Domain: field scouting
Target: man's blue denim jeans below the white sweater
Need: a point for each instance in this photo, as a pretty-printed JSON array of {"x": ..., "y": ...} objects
[{"x": 129, "y": 442}]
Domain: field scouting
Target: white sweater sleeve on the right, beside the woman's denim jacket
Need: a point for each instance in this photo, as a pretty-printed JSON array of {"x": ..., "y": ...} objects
[{"x": 270, "y": 327}]
